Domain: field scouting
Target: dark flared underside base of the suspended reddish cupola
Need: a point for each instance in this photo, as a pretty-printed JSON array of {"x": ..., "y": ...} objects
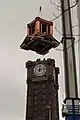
[{"x": 41, "y": 43}]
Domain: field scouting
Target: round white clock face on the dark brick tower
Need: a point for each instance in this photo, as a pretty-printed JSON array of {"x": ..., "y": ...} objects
[{"x": 39, "y": 70}]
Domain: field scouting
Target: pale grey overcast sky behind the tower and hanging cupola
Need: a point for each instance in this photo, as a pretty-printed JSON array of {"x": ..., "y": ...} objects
[{"x": 14, "y": 16}]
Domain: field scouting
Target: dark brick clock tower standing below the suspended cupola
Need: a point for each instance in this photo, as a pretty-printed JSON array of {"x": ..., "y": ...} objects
[{"x": 42, "y": 90}]
